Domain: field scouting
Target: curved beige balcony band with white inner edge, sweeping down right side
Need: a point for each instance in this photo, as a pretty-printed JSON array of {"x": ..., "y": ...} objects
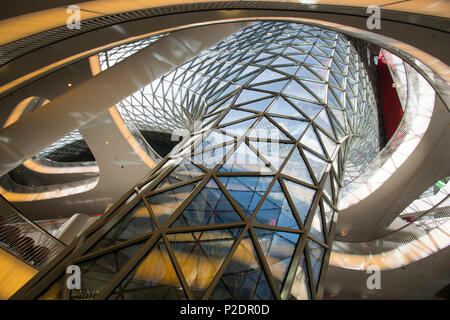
[{"x": 418, "y": 162}]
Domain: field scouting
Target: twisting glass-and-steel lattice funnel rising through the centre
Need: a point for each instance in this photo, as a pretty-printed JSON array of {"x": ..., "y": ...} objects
[{"x": 243, "y": 207}]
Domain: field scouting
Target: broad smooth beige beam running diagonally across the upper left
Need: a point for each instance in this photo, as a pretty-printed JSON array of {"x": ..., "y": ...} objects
[{"x": 72, "y": 110}]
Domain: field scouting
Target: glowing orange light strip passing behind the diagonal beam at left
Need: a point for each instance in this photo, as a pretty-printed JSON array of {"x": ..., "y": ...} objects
[{"x": 118, "y": 120}]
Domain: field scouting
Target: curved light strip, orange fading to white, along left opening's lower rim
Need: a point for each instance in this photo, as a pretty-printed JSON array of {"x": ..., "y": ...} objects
[{"x": 58, "y": 193}]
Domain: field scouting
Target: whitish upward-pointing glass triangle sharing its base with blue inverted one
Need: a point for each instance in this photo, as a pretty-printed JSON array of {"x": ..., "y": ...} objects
[{"x": 244, "y": 159}]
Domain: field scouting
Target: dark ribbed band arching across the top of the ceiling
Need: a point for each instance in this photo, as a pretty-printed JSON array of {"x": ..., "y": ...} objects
[{"x": 15, "y": 49}]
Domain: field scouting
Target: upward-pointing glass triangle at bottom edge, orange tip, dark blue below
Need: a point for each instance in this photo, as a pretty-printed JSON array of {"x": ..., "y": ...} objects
[{"x": 243, "y": 278}]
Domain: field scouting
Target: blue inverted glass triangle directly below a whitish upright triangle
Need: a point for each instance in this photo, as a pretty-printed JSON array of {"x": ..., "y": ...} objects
[{"x": 246, "y": 191}]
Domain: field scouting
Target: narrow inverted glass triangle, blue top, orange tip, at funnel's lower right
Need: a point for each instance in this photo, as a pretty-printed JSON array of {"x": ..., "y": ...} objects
[{"x": 278, "y": 248}]
